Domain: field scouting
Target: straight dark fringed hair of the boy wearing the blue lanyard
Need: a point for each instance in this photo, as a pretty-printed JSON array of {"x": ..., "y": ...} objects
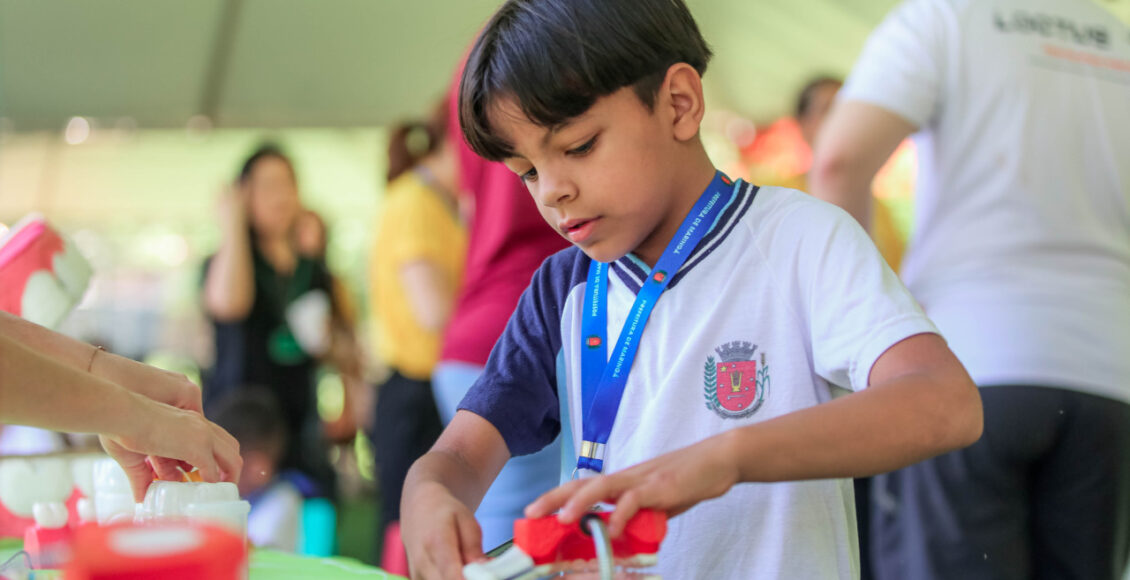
[{"x": 555, "y": 58}]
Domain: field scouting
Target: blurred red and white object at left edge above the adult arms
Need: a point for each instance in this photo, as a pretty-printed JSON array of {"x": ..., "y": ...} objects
[{"x": 42, "y": 274}]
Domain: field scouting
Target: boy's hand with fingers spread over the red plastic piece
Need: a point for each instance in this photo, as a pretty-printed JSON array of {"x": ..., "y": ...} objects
[{"x": 673, "y": 483}]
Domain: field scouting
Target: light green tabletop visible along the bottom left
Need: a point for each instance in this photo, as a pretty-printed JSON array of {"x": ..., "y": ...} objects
[{"x": 266, "y": 565}]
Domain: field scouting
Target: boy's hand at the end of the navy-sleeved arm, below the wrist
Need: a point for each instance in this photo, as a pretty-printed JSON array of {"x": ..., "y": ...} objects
[{"x": 440, "y": 533}]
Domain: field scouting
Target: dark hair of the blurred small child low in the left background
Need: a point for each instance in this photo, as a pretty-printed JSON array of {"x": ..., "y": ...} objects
[{"x": 255, "y": 419}]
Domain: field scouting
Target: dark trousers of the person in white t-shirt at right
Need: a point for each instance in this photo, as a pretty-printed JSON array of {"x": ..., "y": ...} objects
[{"x": 1045, "y": 495}]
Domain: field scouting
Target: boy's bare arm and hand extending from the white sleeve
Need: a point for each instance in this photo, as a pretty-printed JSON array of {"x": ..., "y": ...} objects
[{"x": 922, "y": 403}]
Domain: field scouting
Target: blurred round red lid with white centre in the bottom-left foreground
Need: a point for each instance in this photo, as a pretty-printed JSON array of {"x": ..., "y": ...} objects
[{"x": 175, "y": 551}]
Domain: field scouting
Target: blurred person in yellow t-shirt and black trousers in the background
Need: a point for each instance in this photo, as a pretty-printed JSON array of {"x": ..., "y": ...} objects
[{"x": 416, "y": 266}]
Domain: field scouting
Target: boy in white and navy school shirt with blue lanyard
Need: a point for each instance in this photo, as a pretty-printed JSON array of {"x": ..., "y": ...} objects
[{"x": 773, "y": 302}]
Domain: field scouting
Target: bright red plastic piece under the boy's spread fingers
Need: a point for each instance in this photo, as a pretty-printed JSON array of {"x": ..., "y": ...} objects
[{"x": 549, "y": 541}]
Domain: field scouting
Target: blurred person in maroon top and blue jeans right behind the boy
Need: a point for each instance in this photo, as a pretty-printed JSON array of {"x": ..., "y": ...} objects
[{"x": 509, "y": 241}]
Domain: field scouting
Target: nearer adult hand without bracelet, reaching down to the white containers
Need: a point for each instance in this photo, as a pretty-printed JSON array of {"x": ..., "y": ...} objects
[{"x": 172, "y": 438}]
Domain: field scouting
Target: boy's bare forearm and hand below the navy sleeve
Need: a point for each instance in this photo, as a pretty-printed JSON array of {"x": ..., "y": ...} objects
[{"x": 442, "y": 491}]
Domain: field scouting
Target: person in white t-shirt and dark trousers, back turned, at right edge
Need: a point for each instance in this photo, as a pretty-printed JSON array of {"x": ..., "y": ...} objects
[{"x": 1021, "y": 255}]
